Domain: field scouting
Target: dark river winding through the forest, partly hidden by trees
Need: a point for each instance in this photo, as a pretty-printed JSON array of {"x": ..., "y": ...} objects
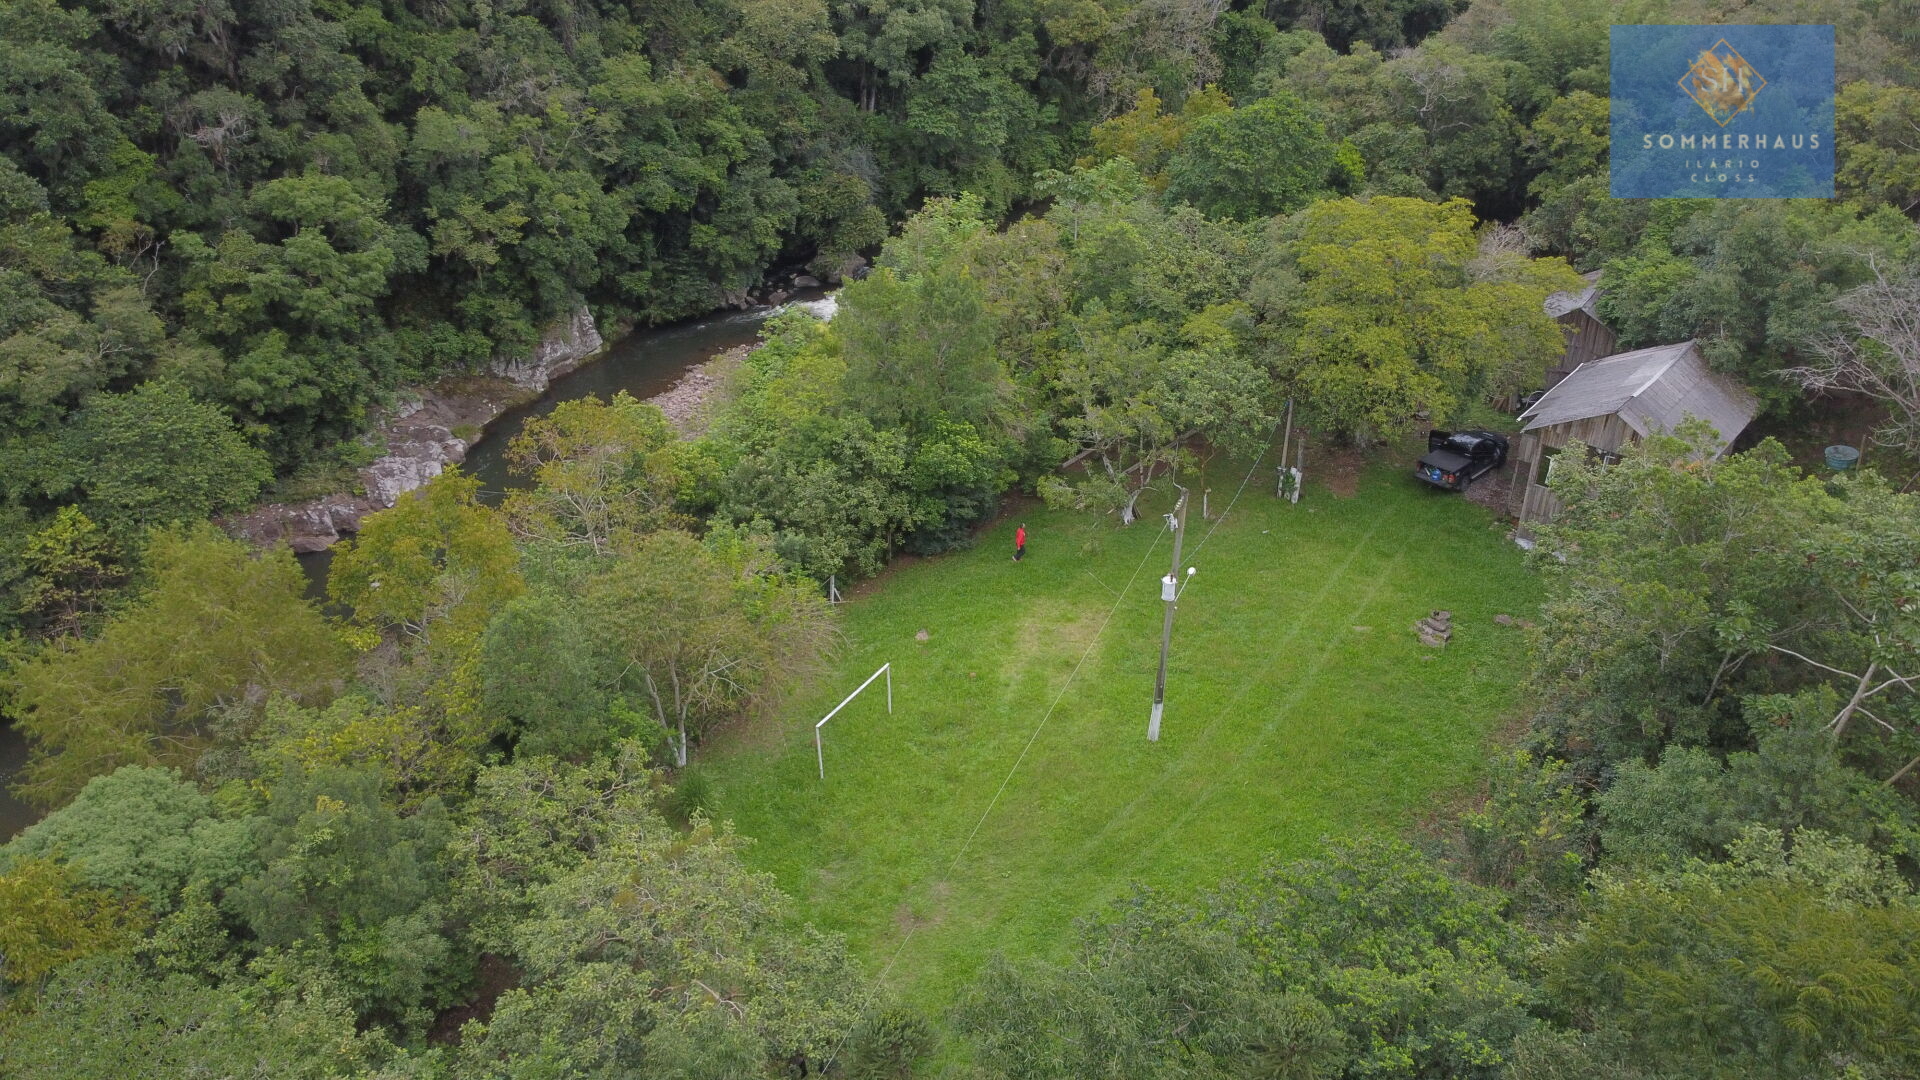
[{"x": 644, "y": 364}]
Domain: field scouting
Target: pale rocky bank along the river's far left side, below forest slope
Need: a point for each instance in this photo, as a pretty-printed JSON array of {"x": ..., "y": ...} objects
[{"x": 421, "y": 439}]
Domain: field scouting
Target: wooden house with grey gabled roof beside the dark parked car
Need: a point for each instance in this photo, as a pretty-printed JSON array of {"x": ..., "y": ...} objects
[{"x": 1612, "y": 405}]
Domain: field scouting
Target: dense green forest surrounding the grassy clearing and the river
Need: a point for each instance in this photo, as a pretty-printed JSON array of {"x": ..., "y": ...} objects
[{"x": 439, "y": 829}]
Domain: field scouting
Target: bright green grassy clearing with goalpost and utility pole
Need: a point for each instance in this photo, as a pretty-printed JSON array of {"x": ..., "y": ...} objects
[{"x": 1299, "y": 706}]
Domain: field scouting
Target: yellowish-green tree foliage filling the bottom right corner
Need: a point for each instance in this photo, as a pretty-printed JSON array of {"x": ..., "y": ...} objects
[{"x": 1779, "y": 964}]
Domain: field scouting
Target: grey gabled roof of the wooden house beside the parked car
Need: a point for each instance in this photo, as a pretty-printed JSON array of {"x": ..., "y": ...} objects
[{"x": 1652, "y": 391}]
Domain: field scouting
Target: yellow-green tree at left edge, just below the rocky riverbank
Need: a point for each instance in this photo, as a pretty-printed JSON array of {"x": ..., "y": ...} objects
[{"x": 222, "y": 631}]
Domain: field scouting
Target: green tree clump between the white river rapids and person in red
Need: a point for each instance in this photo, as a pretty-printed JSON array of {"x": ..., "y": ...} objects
[{"x": 898, "y": 426}]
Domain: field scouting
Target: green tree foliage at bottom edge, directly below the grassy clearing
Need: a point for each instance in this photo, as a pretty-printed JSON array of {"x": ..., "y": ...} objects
[{"x": 1364, "y": 962}]
